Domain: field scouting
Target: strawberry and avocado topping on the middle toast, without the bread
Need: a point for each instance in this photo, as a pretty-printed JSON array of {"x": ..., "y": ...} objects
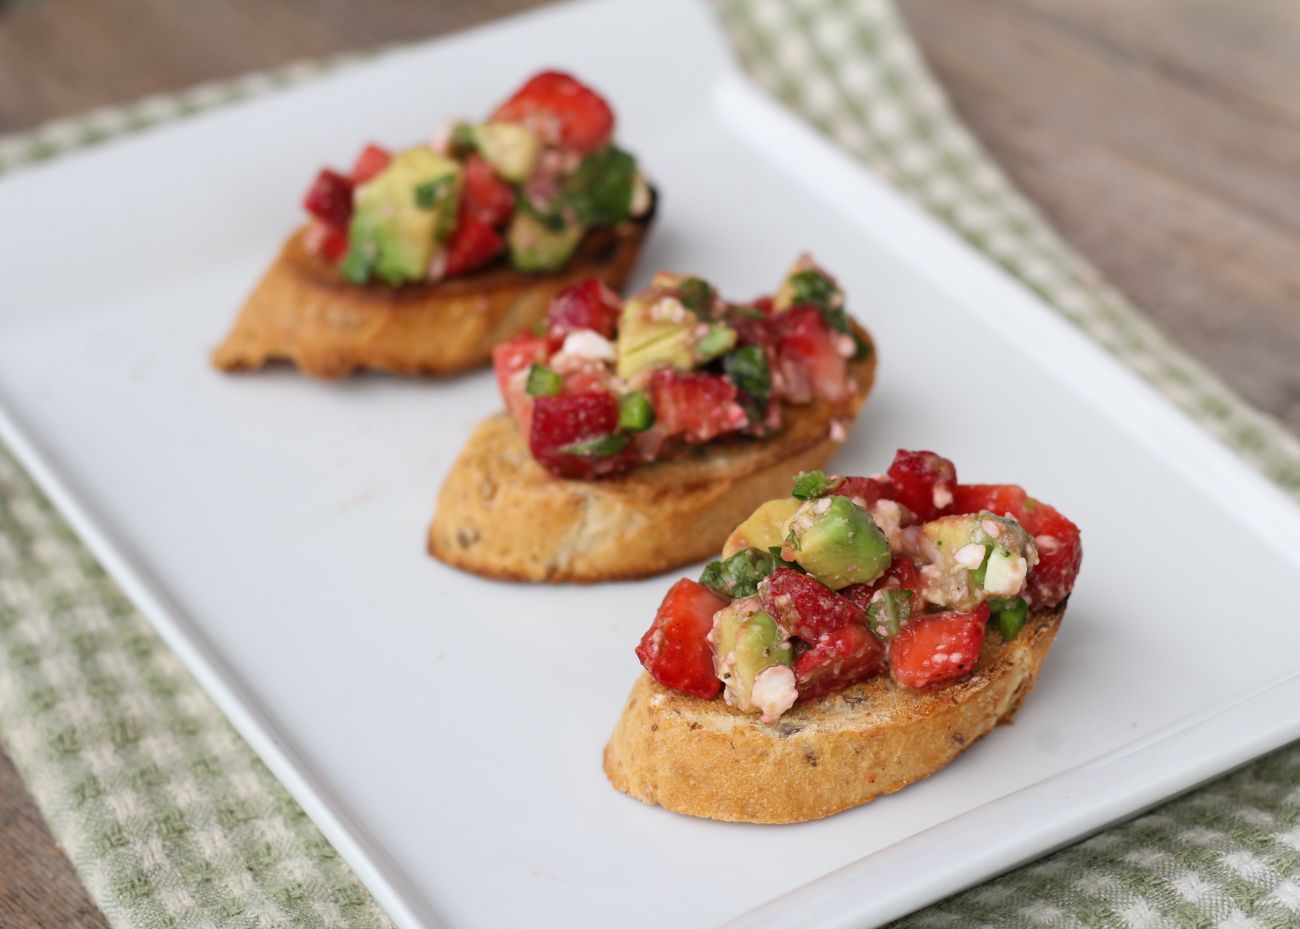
[{"x": 609, "y": 384}]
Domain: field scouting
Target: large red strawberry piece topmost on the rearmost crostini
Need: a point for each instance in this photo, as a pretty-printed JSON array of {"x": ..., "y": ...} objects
[{"x": 564, "y": 108}]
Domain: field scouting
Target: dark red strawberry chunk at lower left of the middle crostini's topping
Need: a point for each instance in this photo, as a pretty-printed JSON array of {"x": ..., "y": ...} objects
[{"x": 571, "y": 419}]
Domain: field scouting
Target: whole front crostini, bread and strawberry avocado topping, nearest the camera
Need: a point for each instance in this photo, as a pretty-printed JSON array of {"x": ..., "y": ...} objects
[{"x": 855, "y": 637}]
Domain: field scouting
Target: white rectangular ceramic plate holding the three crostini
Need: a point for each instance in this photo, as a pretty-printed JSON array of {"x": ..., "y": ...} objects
[{"x": 447, "y": 732}]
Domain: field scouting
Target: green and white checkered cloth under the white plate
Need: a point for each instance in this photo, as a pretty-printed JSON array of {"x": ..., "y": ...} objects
[{"x": 174, "y": 822}]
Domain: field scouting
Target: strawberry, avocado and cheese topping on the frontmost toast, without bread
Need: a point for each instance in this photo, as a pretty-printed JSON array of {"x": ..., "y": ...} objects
[{"x": 852, "y": 578}]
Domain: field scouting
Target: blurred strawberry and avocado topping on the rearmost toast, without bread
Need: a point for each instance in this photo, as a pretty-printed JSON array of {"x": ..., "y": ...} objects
[{"x": 526, "y": 185}]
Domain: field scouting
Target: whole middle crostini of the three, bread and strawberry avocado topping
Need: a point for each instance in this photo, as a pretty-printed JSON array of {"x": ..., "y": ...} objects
[{"x": 639, "y": 433}]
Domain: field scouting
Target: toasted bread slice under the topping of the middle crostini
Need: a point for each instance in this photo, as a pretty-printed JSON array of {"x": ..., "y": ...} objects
[{"x": 501, "y": 515}]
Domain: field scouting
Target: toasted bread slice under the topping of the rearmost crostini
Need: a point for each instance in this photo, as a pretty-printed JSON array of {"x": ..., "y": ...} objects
[{"x": 306, "y": 314}]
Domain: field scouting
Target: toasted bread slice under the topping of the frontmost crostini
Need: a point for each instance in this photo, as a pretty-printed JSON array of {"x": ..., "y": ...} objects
[{"x": 703, "y": 758}]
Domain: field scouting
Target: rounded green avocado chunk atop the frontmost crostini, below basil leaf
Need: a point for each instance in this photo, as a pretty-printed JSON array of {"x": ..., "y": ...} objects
[{"x": 838, "y": 542}]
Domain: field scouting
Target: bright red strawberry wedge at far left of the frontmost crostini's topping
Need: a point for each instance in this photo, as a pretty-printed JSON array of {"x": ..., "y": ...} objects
[{"x": 675, "y": 650}]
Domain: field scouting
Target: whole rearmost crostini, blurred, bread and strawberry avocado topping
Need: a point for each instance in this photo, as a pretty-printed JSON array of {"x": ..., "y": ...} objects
[{"x": 419, "y": 262}]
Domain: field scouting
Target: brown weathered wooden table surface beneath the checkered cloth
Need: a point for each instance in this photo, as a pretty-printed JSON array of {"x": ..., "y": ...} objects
[{"x": 1163, "y": 138}]
